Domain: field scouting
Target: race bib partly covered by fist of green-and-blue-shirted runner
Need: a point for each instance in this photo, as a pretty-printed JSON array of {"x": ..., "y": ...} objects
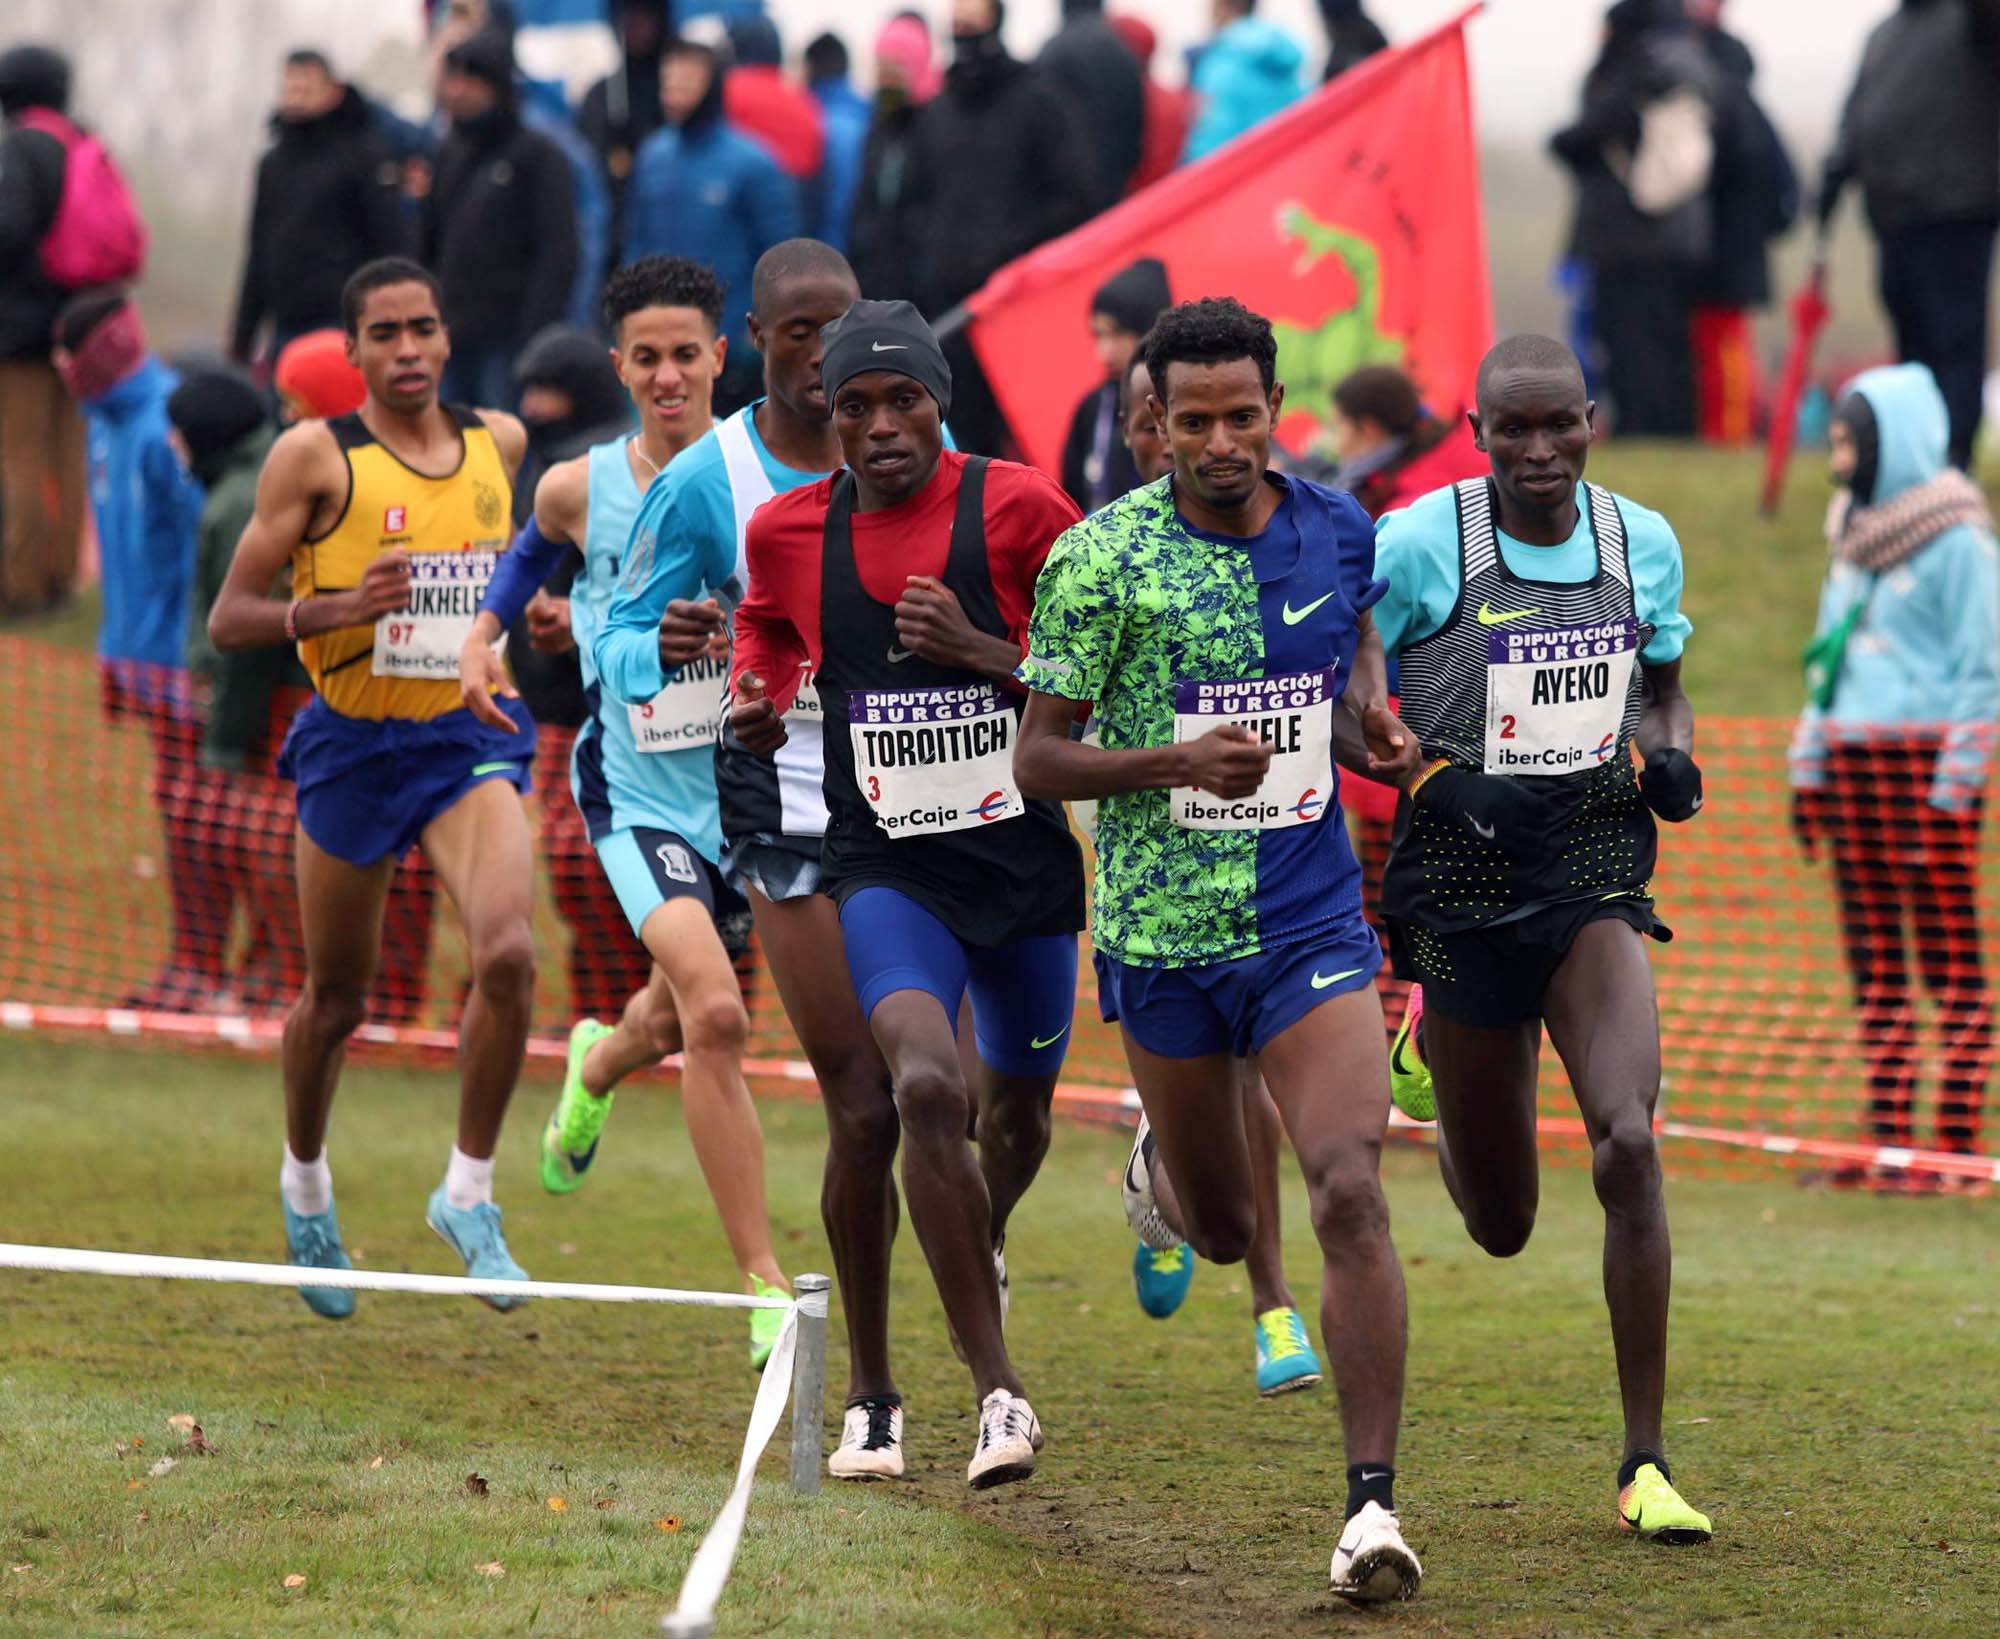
[{"x": 1295, "y": 717}]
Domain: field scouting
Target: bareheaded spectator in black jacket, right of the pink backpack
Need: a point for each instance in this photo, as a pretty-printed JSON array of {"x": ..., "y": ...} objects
[{"x": 327, "y": 201}]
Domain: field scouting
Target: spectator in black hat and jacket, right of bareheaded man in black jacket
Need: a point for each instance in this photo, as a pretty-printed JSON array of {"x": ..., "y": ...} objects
[{"x": 499, "y": 223}]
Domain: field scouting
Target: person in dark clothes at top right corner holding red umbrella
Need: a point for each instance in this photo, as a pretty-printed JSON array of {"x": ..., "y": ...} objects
[{"x": 1921, "y": 133}]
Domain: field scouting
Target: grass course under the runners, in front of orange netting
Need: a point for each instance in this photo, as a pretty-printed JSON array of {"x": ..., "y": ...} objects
[{"x": 1833, "y": 1406}]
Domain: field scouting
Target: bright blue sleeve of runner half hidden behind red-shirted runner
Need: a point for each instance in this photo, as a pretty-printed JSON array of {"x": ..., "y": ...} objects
[{"x": 679, "y": 543}]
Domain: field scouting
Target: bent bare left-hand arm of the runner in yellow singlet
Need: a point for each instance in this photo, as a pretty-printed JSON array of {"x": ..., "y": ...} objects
[{"x": 295, "y": 479}]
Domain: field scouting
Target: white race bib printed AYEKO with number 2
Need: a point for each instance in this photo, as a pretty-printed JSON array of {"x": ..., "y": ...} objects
[{"x": 1555, "y": 701}]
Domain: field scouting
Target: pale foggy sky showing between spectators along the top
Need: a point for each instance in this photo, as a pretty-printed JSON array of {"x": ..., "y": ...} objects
[{"x": 181, "y": 91}]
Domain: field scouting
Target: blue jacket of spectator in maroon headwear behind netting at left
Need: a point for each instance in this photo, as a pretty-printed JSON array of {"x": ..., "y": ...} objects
[{"x": 147, "y": 511}]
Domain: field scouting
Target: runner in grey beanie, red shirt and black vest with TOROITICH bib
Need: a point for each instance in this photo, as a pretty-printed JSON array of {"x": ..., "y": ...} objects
[{"x": 903, "y": 587}]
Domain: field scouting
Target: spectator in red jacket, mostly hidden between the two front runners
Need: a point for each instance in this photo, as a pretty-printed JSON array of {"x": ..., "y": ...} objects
[{"x": 1391, "y": 453}]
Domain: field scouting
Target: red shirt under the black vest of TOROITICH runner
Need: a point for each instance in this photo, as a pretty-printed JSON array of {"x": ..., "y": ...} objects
[{"x": 779, "y": 625}]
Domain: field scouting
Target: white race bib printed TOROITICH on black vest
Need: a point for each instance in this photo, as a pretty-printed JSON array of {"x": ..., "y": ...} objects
[{"x": 935, "y": 761}]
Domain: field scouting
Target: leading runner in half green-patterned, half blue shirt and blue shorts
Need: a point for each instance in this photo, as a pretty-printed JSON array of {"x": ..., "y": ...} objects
[{"x": 1217, "y": 623}]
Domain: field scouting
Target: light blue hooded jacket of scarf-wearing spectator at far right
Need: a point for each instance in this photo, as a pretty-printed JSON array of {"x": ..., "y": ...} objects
[{"x": 1927, "y": 651}]
